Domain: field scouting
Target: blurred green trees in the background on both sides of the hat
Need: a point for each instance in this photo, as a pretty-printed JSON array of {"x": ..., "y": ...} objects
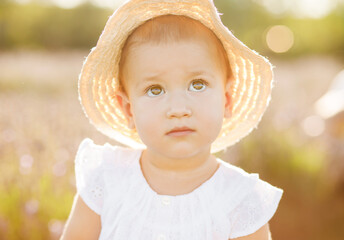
[{"x": 47, "y": 27}]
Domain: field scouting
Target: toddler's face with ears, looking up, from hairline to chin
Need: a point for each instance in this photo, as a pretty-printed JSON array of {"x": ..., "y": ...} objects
[{"x": 176, "y": 85}]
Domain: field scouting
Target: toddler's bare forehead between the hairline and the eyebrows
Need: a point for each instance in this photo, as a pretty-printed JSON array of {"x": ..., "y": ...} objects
[{"x": 150, "y": 61}]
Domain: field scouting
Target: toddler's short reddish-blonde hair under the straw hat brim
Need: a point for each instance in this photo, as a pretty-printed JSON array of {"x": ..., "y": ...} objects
[{"x": 167, "y": 29}]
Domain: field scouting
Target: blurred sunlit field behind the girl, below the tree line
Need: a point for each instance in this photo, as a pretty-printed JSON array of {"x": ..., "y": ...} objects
[{"x": 41, "y": 125}]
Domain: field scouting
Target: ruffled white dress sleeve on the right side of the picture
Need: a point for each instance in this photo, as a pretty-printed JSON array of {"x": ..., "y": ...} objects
[{"x": 255, "y": 209}]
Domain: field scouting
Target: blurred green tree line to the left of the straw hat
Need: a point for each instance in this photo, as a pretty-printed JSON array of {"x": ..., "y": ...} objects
[{"x": 36, "y": 26}]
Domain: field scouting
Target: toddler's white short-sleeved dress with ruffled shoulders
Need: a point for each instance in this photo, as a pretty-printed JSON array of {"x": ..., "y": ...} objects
[{"x": 230, "y": 204}]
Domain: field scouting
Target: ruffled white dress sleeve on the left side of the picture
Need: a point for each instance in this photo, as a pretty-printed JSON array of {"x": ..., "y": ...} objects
[{"x": 88, "y": 175}]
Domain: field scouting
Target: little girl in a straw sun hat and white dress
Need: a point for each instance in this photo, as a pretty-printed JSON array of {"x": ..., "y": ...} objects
[{"x": 169, "y": 81}]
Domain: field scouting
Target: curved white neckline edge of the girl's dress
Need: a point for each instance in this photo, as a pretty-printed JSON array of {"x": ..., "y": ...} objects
[{"x": 201, "y": 187}]
